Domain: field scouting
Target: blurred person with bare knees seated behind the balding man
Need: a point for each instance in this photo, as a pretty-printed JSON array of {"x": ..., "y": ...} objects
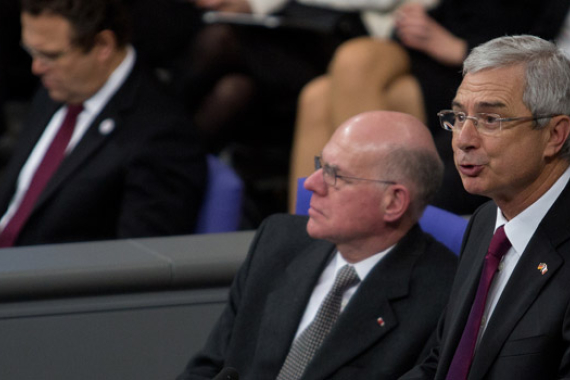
[{"x": 416, "y": 72}]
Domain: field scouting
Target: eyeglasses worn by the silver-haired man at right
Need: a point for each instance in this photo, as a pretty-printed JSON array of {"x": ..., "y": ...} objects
[{"x": 486, "y": 123}]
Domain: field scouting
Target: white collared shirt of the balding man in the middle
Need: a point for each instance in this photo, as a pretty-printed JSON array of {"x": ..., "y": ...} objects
[{"x": 326, "y": 281}]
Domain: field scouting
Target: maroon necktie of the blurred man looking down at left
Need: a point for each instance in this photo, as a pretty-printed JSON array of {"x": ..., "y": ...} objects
[{"x": 50, "y": 162}]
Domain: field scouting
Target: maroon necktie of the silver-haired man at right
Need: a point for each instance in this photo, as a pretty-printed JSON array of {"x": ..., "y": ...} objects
[{"x": 459, "y": 368}]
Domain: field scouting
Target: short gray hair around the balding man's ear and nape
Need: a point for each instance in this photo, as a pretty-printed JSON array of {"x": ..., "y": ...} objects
[{"x": 421, "y": 168}]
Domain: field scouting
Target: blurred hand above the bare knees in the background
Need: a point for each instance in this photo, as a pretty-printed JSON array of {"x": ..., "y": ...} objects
[{"x": 417, "y": 30}]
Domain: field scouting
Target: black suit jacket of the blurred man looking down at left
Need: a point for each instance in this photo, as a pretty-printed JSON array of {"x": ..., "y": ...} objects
[{"x": 144, "y": 178}]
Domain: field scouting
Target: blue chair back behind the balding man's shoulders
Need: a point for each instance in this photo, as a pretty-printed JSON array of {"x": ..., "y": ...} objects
[{"x": 446, "y": 227}]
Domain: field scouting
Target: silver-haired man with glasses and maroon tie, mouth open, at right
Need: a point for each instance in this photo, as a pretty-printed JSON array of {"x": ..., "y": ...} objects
[{"x": 509, "y": 311}]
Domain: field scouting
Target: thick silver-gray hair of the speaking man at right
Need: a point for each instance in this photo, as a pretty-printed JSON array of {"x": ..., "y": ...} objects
[{"x": 547, "y": 73}]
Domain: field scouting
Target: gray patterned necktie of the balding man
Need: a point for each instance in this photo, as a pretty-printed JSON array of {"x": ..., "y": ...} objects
[{"x": 304, "y": 347}]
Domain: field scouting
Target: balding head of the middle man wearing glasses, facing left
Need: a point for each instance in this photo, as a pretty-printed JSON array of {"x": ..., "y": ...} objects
[{"x": 379, "y": 170}]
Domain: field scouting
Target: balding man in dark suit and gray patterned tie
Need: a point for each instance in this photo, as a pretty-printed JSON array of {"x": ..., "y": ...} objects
[{"x": 371, "y": 184}]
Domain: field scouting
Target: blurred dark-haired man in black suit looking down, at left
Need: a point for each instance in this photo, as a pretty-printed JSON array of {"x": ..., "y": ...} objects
[{"x": 103, "y": 154}]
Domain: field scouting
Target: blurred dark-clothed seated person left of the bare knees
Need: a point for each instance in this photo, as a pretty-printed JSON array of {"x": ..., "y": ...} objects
[{"x": 235, "y": 76}]
